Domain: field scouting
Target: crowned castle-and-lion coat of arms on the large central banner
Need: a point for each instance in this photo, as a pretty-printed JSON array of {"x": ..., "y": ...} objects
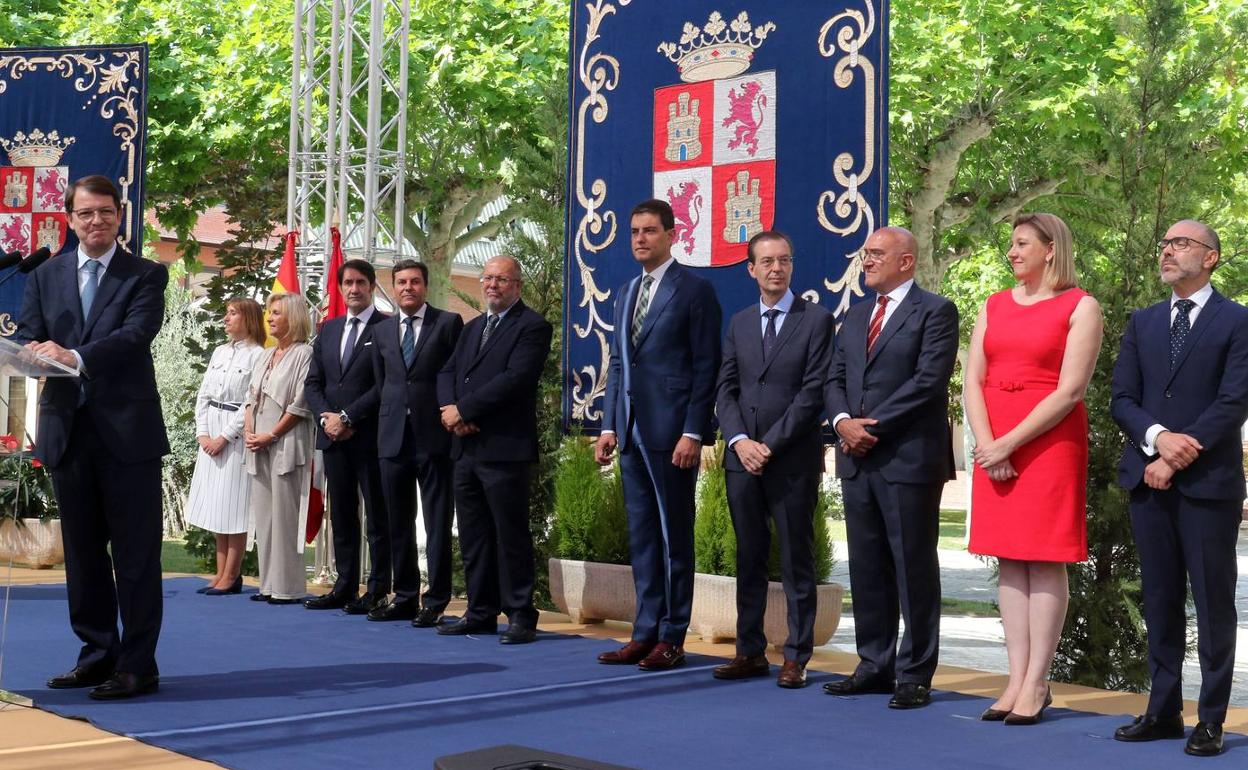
[{"x": 714, "y": 153}]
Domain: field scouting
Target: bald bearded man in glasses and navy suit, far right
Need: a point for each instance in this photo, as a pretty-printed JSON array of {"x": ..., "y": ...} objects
[{"x": 1181, "y": 397}]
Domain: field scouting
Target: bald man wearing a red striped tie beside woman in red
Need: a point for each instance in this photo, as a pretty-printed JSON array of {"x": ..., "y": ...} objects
[{"x": 889, "y": 400}]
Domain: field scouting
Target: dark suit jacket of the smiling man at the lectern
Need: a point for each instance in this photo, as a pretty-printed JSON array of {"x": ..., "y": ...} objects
[{"x": 115, "y": 345}]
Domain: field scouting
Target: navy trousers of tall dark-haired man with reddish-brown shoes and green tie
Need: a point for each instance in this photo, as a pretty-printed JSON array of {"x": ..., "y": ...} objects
[{"x": 660, "y": 500}]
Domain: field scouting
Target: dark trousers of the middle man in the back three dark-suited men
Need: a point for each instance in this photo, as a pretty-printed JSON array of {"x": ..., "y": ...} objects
[{"x": 400, "y": 479}]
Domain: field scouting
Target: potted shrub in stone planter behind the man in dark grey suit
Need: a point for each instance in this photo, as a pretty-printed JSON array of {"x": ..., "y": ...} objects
[{"x": 714, "y": 612}]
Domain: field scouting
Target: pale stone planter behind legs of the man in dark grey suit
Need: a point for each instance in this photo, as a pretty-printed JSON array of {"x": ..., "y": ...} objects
[{"x": 714, "y": 615}]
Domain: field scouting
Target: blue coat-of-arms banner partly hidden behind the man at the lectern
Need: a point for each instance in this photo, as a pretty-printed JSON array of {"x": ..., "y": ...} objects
[{"x": 67, "y": 113}]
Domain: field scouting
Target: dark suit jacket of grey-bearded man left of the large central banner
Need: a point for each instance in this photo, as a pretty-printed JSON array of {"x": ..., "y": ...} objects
[{"x": 496, "y": 387}]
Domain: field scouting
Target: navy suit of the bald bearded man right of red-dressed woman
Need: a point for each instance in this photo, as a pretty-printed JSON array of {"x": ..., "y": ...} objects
[{"x": 1187, "y": 531}]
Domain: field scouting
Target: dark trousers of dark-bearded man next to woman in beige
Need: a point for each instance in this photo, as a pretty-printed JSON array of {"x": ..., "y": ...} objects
[{"x": 351, "y": 471}]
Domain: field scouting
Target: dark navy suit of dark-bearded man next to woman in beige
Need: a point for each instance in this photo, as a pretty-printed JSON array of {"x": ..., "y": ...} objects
[{"x": 351, "y": 466}]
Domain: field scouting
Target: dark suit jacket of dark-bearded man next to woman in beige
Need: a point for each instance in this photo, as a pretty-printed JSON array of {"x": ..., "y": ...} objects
[{"x": 331, "y": 389}]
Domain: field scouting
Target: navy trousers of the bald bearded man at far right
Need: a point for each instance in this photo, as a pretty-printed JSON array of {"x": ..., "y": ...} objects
[{"x": 1182, "y": 539}]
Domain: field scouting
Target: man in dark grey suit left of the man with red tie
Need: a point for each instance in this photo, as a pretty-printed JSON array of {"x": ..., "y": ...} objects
[{"x": 769, "y": 406}]
